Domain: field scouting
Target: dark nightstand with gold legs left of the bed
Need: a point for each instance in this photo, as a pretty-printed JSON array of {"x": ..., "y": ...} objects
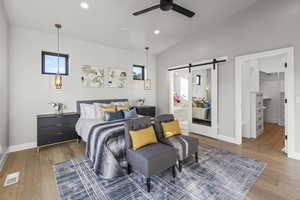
[{"x": 56, "y": 129}]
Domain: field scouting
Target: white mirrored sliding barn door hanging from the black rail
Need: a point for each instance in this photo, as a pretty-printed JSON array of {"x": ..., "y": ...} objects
[{"x": 203, "y": 90}]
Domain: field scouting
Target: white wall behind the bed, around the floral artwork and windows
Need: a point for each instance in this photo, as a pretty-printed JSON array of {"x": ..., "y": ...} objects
[{"x": 30, "y": 92}]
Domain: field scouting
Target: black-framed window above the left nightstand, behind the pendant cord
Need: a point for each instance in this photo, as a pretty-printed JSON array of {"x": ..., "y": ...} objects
[{"x": 49, "y": 63}]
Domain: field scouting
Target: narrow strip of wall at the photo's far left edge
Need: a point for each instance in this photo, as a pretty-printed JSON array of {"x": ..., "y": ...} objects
[{"x": 3, "y": 81}]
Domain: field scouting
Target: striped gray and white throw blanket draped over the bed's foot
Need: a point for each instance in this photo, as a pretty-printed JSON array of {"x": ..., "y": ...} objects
[{"x": 105, "y": 147}]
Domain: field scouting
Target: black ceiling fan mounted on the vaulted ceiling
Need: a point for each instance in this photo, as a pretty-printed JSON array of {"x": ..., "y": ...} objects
[{"x": 167, "y": 5}]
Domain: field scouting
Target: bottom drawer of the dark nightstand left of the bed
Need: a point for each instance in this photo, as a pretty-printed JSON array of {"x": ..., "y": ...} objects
[{"x": 54, "y": 135}]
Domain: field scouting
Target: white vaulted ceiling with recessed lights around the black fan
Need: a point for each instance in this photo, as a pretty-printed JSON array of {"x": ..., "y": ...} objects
[{"x": 111, "y": 22}]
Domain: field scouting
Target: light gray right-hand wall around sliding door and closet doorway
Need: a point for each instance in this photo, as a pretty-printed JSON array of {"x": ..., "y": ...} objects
[{"x": 269, "y": 24}]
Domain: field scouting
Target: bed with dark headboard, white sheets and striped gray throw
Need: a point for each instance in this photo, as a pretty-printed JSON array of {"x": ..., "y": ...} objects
[{"x": 105, "y": 142}]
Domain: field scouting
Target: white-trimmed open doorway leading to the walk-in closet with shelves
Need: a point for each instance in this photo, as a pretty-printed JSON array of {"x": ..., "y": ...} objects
[{"x": 264, "y": 98}]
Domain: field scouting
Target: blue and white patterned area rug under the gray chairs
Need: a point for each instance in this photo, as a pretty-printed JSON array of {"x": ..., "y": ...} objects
[{"x": 218, "y": 175}]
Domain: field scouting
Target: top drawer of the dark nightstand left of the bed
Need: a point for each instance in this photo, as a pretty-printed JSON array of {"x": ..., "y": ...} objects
[{"x": 57, "y": 121}]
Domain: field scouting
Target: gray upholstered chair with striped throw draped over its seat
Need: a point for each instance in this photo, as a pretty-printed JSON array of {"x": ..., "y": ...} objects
[{"x": 186, "y": 146}]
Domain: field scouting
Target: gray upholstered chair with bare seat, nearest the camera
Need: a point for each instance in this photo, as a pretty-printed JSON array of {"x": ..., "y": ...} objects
[{"x": 151, "y": 159}]
